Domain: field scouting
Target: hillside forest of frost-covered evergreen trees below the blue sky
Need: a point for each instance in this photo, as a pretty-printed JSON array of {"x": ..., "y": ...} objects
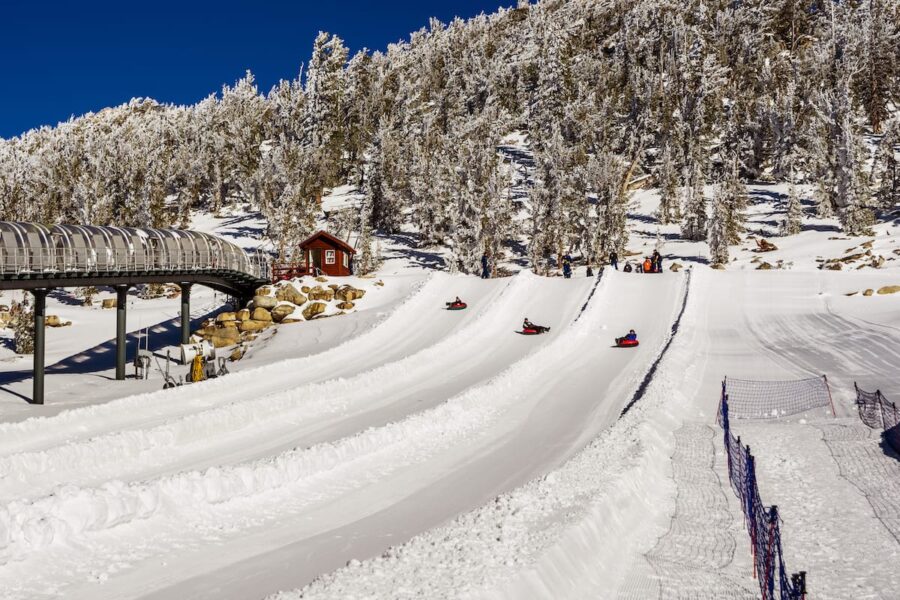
[{"x": 693, "y": 93}]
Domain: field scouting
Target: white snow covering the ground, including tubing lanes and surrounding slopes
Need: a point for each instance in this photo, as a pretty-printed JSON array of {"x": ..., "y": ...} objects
[{"x": 406, "y": 451}]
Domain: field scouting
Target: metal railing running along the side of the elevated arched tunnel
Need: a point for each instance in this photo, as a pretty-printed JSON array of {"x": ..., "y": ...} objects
[{"x": 43, "y": 260}]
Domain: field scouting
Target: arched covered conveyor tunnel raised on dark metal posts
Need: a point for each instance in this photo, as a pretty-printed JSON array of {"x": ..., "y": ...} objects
[{"x": 39, "y": 258}]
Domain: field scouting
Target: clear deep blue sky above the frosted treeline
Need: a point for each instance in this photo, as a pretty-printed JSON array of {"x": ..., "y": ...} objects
[{"x": 63, "y": 58}]
